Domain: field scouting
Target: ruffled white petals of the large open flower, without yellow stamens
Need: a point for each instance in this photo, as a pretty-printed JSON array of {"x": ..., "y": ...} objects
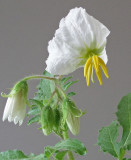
[{"x": 75, "y": 31}]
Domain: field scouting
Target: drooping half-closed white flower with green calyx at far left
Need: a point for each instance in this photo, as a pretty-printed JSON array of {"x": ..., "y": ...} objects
[{"x": 15, "y": 109}]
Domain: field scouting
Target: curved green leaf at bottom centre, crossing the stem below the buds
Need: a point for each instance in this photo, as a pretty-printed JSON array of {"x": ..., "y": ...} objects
[{"x": 67, "y": 145}]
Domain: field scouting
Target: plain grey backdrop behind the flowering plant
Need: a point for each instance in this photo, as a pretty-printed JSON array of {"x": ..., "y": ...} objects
[{"x": 26, "y": 26}]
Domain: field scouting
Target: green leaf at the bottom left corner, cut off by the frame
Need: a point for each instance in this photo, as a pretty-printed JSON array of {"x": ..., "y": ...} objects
[{"x": 19, "y": 155}]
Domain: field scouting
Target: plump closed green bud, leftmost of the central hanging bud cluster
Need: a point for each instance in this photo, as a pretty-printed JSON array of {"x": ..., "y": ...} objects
[{"x": 47, "y": 120}]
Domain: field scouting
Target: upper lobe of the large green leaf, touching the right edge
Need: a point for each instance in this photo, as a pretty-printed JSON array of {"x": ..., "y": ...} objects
[{"x": 124, "y": 118}]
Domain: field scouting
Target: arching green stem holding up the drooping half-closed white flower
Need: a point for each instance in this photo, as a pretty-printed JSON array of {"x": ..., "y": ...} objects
[{"x": 38, "y": 77}]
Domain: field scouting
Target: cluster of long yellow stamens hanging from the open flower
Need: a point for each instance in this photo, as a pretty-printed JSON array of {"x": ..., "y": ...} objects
[{"x": 95, "y": 63}]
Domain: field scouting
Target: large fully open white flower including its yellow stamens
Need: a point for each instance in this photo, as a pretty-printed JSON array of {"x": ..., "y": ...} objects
[{"x": 79, "y": 37}]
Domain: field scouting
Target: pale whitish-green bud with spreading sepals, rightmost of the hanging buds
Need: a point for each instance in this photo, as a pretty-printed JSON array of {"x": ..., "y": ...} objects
[{"x": 71, "y": 115}]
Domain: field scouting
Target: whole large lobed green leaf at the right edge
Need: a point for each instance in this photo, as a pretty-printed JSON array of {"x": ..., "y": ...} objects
[{"x": 124, "y": 118}]
